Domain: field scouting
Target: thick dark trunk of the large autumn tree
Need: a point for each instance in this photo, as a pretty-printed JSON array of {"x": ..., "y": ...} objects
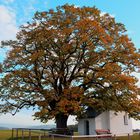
[{"x": 61, "y": 121}]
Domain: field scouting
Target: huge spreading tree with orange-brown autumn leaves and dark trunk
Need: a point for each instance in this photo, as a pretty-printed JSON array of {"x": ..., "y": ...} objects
[{"x": 67, "y": 60}]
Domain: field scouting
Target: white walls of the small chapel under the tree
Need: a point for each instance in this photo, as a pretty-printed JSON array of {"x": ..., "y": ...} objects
[{"x": 119, "y": 124}]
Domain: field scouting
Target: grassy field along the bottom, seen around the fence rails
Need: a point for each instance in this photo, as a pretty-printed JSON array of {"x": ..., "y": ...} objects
[{"x": 6, "y": 135}]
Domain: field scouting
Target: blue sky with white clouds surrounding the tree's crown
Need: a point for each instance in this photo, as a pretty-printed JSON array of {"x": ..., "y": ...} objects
[{"x": 14, "y": 13}]
